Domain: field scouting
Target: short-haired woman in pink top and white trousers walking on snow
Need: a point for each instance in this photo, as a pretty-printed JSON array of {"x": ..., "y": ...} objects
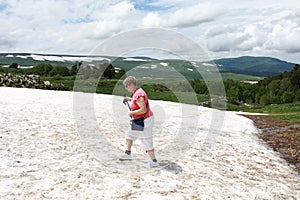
[{"x": 139, "y": 107}]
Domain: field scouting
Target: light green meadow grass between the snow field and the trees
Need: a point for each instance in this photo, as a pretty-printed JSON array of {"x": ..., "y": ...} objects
[{"x": 174, "y": 92}]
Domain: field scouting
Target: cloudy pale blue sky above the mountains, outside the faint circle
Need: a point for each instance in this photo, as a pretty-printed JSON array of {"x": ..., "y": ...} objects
[{"x": 223, "y": 28}]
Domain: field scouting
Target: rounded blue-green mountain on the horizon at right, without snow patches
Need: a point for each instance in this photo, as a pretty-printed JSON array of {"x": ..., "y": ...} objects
[{"x": 255, "y": 66}]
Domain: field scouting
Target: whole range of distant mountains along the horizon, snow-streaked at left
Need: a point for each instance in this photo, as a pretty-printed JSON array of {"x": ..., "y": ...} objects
[{"x": 150, "y": 67}]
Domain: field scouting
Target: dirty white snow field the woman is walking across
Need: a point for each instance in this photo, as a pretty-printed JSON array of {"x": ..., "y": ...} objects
[{"x": 44, "y": 155}]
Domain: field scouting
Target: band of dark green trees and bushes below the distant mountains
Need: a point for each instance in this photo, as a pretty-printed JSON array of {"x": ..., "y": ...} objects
[{"x": 279, "y": 89}]
